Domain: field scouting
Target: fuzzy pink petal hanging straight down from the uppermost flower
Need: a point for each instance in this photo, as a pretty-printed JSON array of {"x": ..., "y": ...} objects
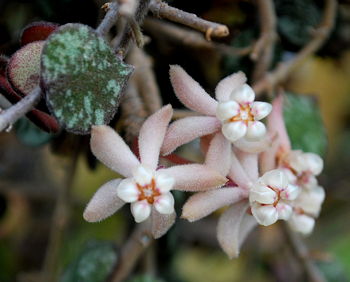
[{"x": 218, "y": 156}]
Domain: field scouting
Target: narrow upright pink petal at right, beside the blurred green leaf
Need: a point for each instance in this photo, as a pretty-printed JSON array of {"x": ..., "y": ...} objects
[{"x": 275, "y": 124}]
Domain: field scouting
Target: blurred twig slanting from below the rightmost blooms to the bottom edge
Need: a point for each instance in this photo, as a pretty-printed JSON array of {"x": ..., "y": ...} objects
[{"x": 303, "y": 255}]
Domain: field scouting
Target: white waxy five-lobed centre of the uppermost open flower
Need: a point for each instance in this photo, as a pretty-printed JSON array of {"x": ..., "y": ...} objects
[{"x": 240, "y": 116}]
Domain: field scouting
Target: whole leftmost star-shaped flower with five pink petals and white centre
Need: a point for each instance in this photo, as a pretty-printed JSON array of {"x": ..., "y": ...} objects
[{"x": 145, "y": 187}]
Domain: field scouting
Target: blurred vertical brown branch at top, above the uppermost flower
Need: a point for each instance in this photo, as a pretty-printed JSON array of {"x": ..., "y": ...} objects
[{"x": 263, "y": 49}]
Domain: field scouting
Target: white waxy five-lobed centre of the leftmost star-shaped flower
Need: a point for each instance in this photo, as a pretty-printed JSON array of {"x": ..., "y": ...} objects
[{"x": 147, "y": 188}]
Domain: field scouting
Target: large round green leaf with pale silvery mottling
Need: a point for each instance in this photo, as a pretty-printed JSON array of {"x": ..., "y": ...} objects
[{"x": 82, "y": 78}]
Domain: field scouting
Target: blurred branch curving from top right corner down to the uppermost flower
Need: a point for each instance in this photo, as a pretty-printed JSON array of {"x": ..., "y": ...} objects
[{"x": 320, "y": 35}]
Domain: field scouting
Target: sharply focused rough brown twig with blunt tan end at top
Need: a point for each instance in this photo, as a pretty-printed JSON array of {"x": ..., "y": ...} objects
[{"x": 211, "y": 29}]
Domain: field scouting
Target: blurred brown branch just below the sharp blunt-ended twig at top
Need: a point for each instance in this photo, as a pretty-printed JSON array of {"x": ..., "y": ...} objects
[{"x": 190, "y": 38}]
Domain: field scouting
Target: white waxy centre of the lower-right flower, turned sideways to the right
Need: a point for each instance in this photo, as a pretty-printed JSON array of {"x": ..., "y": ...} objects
[{"x": 271, "y": 197}]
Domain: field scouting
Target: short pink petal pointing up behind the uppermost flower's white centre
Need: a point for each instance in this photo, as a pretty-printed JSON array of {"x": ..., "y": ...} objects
[{"x": 230, "y": 83}]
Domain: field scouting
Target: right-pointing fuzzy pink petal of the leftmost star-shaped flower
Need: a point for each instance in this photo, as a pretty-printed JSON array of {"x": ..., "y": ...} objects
[{"x": 195, "y": 177}]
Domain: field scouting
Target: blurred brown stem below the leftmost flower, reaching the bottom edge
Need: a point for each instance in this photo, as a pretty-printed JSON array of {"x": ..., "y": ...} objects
[{"x": 134, "y": 247}]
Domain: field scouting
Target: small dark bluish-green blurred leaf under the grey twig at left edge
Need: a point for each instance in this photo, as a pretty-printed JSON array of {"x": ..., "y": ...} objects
[{"x": 31, "y": 135}]
